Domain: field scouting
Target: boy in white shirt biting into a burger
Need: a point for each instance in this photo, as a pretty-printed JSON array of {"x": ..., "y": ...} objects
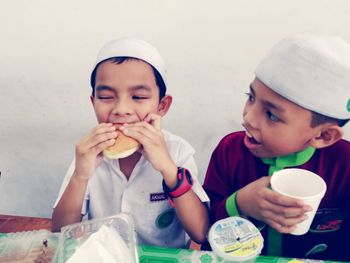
[{"x": 129, "y": 88}]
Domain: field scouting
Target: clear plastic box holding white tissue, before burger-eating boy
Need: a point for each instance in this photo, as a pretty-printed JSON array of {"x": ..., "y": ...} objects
[{"x": 73, "y": 236}]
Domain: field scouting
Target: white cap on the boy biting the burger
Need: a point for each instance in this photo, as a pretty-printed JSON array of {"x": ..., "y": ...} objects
[{"x": 134, "y": 48}]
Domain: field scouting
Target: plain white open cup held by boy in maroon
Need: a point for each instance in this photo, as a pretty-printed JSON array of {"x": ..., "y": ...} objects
[{"x": 302, "y": 185}]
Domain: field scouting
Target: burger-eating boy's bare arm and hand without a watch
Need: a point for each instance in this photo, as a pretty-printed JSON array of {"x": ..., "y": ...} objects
[{"x": 88, "y": 156}]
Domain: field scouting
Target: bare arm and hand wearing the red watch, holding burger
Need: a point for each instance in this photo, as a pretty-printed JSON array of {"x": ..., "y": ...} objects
[{"x": 191, "y": 211}]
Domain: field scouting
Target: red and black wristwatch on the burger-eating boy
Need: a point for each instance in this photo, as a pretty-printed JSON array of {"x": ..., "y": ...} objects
[{"x": 183, "y": 185}]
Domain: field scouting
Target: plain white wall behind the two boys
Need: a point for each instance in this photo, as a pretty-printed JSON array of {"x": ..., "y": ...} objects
[{"x": 47, "y": 49}]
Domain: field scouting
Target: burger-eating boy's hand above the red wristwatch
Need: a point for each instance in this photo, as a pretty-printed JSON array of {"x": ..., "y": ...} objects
[{"x": 148, "y": 133}]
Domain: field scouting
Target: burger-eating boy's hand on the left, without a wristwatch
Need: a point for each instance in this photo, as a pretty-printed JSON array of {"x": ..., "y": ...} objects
[{"x": 89, "y": 149}]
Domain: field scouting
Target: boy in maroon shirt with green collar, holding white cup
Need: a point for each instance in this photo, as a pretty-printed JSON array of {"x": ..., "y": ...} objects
[{"x": 296, "y": 107}]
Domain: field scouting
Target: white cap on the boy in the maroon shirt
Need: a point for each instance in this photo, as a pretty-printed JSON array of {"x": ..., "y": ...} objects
[{"x": 311, "y": 71}]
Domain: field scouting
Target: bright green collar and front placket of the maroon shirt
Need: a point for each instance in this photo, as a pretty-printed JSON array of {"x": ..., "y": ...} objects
[{"x": 274, "y": 247}]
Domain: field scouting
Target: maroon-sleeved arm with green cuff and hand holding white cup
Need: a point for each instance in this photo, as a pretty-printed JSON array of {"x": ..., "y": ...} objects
[{"x": 255, "y": 200}]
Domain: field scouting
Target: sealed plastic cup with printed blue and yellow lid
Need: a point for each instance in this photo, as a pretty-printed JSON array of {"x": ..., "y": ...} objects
[{"x": 235, "y": 239}]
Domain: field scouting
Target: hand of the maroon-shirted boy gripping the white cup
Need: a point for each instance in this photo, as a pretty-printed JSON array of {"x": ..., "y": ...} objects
[{"x": 282, "y": 213}]
